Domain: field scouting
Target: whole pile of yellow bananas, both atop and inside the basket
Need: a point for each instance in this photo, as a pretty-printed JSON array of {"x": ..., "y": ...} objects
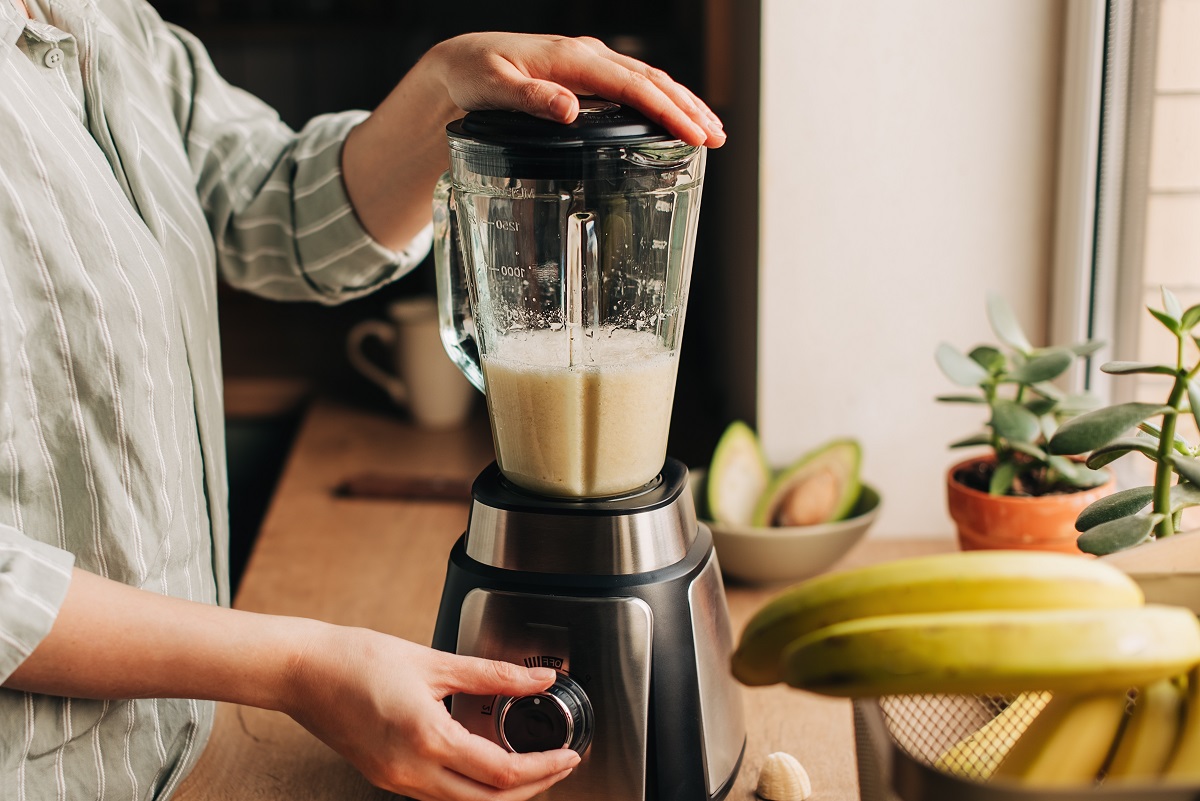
[{"x": 1001, "y": 623}]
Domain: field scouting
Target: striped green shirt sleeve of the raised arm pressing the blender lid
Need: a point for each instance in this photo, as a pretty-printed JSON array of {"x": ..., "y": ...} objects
[{"x": 275, "y": 198}]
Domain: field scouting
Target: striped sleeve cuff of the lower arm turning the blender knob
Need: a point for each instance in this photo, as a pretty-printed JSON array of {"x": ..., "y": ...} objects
[{"x": 34, "y": 580}]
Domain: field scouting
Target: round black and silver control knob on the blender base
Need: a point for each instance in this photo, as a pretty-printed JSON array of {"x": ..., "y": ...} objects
[{"x": 559, "y": 718}]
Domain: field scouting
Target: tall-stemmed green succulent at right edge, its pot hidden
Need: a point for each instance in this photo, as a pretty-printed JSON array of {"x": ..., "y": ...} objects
[{"x": 1138, "y": 515}]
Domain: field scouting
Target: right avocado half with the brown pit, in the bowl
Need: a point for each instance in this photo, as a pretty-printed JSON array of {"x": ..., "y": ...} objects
[{"x": 821, "y": 487}]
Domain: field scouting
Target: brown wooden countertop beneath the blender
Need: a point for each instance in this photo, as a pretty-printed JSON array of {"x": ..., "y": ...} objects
[{"x": 380, "y": 564}]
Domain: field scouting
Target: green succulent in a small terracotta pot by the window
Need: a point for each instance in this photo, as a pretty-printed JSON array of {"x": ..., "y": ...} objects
[{"x": 1021, "y": 495}]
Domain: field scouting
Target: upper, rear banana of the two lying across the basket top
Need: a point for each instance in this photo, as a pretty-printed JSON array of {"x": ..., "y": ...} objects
[{"x": 982, "y": 580}]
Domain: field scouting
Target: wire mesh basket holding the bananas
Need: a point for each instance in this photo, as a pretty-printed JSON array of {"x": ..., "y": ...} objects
[{"x": 907, "y": 749}]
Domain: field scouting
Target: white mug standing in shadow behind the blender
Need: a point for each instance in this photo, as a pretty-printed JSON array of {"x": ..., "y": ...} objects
[{"x": 425, "y": 382}]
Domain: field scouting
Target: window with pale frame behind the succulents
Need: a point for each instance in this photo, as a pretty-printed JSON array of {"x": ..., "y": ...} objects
[{"x": 1130, "y": 188}]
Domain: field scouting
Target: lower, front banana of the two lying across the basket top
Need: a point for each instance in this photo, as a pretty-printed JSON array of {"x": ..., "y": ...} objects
[{"x": 997, "y": 653}]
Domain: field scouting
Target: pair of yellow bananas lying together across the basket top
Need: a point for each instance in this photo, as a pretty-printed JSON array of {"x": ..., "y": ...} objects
[{"x": 842, "y": 633}]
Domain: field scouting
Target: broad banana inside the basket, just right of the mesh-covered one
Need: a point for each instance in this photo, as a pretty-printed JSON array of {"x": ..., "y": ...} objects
[{"x": 1069, "y": 743}]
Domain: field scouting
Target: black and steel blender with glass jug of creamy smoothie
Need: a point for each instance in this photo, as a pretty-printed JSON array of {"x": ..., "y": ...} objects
[{"x": 563, "y": 262}]
